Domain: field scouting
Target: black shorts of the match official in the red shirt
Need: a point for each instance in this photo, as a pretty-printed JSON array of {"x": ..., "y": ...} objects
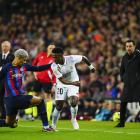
[{"x": 39, "y": 85}]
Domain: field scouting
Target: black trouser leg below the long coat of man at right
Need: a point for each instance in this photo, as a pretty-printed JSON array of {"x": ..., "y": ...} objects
[{"x": 123, "y": 112}]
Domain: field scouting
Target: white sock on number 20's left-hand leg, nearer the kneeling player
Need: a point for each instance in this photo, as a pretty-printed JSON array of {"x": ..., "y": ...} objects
[{"x": 55, "y": 117}]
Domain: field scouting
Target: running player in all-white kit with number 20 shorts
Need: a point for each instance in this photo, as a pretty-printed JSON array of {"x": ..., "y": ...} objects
[{"x": 67, "y": 83}]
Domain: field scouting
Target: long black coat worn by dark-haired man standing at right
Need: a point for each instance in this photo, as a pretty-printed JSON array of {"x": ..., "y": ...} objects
[{"x": 130, "y": 75}]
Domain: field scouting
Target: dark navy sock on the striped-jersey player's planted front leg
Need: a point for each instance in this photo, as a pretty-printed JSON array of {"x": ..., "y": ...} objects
[{"x": 42, "y": 112}]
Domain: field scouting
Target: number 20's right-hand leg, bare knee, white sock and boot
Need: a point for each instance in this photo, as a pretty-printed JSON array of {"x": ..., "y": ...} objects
[{"x": 74, "y": 109}]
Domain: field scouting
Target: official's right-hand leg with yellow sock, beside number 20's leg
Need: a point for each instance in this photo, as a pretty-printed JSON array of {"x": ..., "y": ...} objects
[{"x": 49, "y": 105}]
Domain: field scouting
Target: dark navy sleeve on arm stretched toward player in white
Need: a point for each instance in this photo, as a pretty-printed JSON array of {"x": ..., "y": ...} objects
[{"x": 37, "y": 68}]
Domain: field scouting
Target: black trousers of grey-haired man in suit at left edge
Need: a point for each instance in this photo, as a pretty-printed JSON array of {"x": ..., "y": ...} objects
[{"x": 2, "y": 92}]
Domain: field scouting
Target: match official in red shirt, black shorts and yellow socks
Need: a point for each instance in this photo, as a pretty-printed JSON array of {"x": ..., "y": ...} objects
[{"x": 44, "y": 78}]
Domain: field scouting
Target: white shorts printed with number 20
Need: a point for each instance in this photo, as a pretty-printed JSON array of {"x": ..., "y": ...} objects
[{"x": 62, "y": 92}]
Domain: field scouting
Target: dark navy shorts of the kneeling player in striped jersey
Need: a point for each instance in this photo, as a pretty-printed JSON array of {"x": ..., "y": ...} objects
[{"x": 17, "y": 102}]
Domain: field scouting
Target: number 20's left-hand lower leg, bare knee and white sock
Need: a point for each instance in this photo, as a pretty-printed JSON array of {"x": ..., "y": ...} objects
[{"x": 56, "y": 112}]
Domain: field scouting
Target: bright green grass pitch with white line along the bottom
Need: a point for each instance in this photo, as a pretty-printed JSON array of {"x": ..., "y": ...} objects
[{"x": 88, "y": 130}]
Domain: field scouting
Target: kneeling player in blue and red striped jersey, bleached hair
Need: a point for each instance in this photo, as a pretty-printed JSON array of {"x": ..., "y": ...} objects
[{"x": 14, "y": 99}]
